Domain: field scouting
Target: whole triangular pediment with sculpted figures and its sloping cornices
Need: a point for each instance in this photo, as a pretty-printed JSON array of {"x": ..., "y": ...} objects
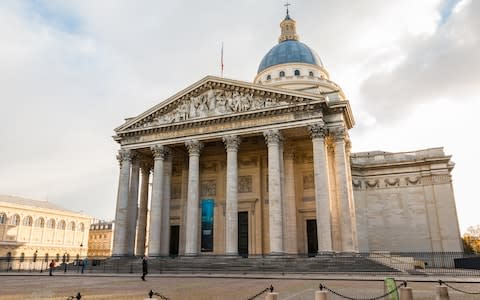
[{"x": 214, "y": 97}]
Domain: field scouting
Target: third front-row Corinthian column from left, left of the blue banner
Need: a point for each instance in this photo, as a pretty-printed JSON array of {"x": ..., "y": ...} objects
[{"x": 193, "y": 201}]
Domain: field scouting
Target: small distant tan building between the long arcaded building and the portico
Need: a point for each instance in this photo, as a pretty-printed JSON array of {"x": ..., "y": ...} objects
[{"x": 100, "y": 239}]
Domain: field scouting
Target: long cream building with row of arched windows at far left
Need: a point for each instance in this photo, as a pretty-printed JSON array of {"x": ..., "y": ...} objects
[{"x": 32, "y": 228}]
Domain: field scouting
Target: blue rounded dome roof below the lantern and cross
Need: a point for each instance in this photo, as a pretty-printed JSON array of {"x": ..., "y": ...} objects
[{"x": 289, "y": 51}]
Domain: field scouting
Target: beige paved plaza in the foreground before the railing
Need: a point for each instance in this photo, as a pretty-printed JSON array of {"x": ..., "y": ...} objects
[{"x": 121, "y": 286}]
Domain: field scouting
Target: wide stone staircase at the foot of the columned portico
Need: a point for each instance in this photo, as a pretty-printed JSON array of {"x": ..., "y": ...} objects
[{"x": 238, "y": 265}]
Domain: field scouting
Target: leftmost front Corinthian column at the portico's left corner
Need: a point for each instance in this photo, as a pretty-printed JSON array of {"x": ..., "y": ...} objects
[{"x": 120, "y": 235}]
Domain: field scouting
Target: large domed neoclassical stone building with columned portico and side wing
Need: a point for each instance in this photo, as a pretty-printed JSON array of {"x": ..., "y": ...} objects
[{"x": 265, "y": 168}]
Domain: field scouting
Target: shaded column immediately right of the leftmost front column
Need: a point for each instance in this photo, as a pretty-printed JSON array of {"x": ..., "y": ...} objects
[{"x": 132, "y": 207}]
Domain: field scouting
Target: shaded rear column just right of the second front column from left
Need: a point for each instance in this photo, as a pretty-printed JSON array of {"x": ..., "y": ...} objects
[{"x": 167, "y": 181}]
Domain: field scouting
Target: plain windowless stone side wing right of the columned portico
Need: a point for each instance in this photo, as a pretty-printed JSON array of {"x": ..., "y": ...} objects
[{"x": 405, "y": 201}]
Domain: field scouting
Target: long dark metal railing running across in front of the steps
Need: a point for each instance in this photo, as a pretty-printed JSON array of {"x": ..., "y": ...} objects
[{"x": 411, "y": 263}]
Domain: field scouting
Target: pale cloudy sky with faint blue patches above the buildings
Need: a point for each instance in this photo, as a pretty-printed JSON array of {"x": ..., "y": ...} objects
[{"x": 72, "y": 71}]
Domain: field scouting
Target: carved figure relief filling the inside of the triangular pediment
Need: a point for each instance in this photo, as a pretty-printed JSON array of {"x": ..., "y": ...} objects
[{"x": 214, "y": 102}]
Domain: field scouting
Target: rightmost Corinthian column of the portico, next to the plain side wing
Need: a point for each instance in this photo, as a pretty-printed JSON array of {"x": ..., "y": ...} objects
[{"x": 345, "y": 198}]
